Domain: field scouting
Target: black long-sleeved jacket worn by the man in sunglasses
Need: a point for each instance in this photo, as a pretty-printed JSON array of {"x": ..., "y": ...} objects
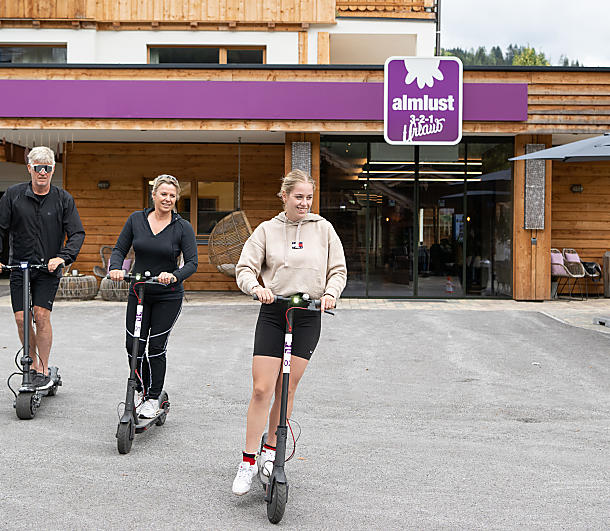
[{"x": 38, "y": 225}]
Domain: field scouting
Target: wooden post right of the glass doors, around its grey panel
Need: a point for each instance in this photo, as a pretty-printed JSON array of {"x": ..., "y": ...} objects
[{"x": 531, "y": 248}]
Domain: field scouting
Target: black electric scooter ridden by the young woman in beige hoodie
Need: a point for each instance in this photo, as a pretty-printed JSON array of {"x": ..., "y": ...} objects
[{"x": 276, "y": 490}]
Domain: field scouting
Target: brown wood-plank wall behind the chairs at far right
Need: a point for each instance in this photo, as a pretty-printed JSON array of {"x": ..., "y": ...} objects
[{"x": 581, "y": 221}]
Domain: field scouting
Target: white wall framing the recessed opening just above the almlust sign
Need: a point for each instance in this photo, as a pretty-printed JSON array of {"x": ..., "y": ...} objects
[{"x": 424, "y": 29}]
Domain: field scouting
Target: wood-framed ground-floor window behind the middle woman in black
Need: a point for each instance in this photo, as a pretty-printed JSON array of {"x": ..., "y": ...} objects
[{"x": 215, "y": 199}]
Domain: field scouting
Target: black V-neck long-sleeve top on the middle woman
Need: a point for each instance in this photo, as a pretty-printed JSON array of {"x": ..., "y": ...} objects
[{"x": 157, "y": 253}]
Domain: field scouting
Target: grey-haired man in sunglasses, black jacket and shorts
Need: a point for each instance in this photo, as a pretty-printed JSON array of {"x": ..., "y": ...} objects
[{"x": 38, "y": 216}]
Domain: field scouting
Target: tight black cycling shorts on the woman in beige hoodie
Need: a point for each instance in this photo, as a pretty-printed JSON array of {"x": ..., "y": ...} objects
[{"x": 271, "y": 328}]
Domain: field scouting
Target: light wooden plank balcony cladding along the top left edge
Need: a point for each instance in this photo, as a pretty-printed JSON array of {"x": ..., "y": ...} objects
[{"x": 112, "y": 14}]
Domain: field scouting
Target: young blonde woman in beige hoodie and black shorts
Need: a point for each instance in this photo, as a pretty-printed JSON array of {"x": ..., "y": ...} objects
[{"x": 295, "y": 252}]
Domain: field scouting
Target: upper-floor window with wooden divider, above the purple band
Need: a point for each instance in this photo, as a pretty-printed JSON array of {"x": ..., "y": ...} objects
[{"x": 206, "y": 54}]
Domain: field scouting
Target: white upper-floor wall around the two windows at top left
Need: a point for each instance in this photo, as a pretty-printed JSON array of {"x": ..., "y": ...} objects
[{"x": 130, "y": 47}]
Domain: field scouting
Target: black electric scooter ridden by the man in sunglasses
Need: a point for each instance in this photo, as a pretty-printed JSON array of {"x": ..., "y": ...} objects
[{"x": 29, "y": 397}]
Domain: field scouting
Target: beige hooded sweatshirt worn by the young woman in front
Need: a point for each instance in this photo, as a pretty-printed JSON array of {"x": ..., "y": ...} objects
[{"x": 273, "y": 251}]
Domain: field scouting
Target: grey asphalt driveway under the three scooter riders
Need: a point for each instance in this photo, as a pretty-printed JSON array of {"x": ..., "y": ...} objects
[{"x": 411, "y": 418}]
